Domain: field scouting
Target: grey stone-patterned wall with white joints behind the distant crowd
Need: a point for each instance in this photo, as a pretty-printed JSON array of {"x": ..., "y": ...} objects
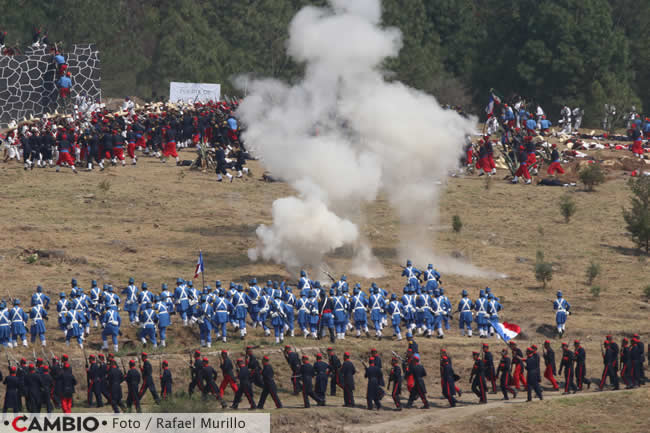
[{"x": 27, "y": 81}]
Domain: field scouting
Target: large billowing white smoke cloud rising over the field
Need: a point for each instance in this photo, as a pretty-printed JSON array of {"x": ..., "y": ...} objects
[{"x": 343, "y": 135}]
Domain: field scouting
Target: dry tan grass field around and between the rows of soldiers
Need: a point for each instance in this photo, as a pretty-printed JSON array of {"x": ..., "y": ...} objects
[{"x": 149, "y": 225}]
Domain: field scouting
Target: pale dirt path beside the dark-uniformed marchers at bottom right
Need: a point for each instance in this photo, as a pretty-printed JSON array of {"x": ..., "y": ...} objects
[{"x": 415, "y": 420}]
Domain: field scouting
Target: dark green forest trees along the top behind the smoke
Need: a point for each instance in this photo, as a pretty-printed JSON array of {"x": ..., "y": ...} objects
[{"x": 576, "y": 52}]
